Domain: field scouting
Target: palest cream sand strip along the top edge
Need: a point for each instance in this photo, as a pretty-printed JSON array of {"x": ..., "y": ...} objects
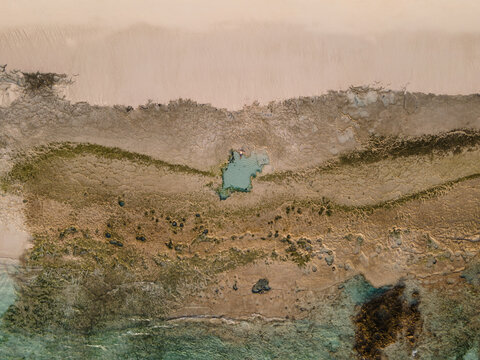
[{"x": 340, "y": 16}]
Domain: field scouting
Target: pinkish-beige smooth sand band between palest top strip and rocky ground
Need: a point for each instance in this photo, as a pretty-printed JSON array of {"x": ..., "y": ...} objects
[{"x": 145, "y": 62}]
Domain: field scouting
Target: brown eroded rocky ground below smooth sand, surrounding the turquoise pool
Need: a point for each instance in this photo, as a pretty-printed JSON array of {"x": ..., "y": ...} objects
[{"x": 368, "y": 232}]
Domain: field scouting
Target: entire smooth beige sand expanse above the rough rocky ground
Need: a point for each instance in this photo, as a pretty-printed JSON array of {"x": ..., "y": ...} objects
[{"x": 231, "y": 55}]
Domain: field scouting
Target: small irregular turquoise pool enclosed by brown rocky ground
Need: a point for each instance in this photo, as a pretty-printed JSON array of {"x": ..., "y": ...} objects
[{"x": 237, "y": 175}]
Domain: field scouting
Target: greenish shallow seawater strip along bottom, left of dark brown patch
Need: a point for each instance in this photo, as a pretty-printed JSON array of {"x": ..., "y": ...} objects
[{"x": 191, "y": 340}]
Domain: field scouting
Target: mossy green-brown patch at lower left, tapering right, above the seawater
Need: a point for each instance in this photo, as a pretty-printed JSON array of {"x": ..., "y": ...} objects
[{"x": 78, "y": 283}]
